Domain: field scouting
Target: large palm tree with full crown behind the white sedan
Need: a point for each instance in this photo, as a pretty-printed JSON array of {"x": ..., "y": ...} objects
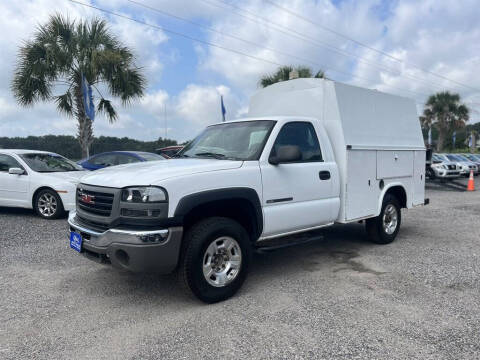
[{"x": 51, "y": 67}]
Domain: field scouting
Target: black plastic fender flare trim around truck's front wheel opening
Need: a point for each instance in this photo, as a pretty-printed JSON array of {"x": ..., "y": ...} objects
[{"x": 187, "y": 203}]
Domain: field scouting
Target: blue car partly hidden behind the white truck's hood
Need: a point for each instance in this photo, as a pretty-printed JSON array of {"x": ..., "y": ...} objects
[{"x": 113, "y": 158}]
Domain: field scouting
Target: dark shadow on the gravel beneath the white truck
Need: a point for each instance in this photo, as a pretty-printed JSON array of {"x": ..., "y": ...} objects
[{"x": 336, "y": 252}]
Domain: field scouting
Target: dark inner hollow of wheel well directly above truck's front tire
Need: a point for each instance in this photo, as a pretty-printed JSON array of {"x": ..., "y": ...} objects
[{"x": 240, "y": 210}]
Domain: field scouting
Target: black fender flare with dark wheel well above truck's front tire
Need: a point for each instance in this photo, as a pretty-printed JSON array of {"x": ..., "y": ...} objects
[{"x": 241, "y": 204}]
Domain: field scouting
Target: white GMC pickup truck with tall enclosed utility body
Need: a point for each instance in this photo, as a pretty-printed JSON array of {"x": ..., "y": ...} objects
[{"x": 311, "y": 153}]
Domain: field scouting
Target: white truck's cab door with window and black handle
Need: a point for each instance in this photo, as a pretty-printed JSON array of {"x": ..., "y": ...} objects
[{"x": 298, "y": 195}]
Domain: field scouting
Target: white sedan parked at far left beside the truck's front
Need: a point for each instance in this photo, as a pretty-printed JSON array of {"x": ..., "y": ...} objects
[{"x": 40, "y": 180}]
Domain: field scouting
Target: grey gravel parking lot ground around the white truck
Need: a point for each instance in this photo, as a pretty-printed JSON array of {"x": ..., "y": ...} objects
[{"x": 340, "y": 297}]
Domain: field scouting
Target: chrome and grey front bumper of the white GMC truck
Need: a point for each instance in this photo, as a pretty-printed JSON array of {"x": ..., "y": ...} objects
[{"x": 137, "y": 251}]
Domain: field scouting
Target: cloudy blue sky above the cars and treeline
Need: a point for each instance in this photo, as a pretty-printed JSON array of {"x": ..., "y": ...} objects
[{"x": 411, "y": 48}]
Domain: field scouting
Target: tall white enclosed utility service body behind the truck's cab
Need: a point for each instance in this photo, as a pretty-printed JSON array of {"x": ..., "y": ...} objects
[{"x": 375, "y": 137}]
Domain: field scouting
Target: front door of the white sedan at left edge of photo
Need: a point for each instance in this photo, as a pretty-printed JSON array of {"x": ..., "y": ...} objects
[{"x": 13, "y": 188}]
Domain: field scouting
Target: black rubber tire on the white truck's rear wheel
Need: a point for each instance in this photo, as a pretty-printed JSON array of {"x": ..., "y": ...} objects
[{"x": 375, "y": 226}]
